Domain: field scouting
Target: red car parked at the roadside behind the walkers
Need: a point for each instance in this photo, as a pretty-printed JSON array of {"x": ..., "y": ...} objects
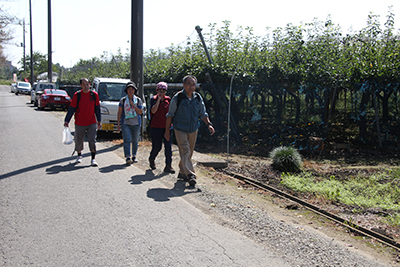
[{"x": 54, "y": 98}]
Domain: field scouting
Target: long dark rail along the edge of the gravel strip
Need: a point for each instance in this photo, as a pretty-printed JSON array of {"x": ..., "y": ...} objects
[{"x": 350, "y": 225}]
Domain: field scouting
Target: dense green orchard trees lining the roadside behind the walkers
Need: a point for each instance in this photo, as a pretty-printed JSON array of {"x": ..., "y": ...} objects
[{"x": 297, "y": 81}]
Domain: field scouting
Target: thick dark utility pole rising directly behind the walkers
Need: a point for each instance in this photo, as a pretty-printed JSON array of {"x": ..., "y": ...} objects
[{"x": 136, "y": 74}]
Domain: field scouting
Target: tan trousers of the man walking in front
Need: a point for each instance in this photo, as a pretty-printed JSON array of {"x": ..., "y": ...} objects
[{"x": 186, "y": 143}]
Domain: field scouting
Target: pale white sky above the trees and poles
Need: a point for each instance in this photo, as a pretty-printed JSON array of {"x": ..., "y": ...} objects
[{"x": 83, "y": 29}]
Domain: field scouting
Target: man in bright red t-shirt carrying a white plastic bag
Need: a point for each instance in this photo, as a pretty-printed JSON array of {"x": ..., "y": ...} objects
[{"x": 86, "y": 106}]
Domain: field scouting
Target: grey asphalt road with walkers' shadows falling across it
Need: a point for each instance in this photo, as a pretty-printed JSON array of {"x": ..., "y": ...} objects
[{"x": 55, "y": 213}]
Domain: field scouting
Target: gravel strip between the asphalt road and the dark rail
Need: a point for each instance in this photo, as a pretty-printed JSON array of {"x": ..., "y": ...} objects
[{"x": 302, "y": 237}]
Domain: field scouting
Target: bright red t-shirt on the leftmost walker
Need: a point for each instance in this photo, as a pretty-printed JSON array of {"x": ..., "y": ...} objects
[{"x": 85, "y": 114}]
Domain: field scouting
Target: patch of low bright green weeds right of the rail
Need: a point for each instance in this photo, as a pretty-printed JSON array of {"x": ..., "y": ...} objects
[{"x": 377, "y": 190}]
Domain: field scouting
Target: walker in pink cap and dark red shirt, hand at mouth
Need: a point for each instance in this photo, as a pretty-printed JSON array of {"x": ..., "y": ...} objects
[{"x": 159, "y": 108}]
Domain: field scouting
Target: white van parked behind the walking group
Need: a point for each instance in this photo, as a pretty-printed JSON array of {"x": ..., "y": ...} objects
[{"x": 110, "y": 91}]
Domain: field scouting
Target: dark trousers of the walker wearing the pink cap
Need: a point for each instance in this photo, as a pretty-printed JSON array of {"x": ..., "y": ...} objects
[{"x": 157, "y": 138}]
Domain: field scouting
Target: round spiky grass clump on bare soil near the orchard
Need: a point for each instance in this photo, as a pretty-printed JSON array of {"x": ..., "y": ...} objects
[{"x": 286, "y": 159}]
